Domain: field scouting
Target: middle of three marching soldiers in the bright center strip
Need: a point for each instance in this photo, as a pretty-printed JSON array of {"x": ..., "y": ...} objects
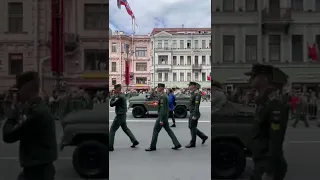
[{"x": 162, "y": 121}]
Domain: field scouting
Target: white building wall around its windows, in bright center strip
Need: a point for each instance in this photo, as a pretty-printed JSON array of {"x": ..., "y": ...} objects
[{"x": 181, "y": 51}]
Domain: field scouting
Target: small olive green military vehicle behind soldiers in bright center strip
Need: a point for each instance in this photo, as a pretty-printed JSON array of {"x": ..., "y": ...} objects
[{"x": 145, "y": 103}]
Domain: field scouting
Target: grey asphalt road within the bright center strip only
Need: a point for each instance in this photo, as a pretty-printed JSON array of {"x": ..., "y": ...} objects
[{"x": 165, "y": 163}]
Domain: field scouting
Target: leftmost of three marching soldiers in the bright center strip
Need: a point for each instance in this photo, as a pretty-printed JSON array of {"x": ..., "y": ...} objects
[{"x": 120, "y": 102}]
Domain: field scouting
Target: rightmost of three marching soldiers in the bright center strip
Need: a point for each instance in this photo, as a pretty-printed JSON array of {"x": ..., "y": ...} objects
[{"x": 195, "y": 115}]
